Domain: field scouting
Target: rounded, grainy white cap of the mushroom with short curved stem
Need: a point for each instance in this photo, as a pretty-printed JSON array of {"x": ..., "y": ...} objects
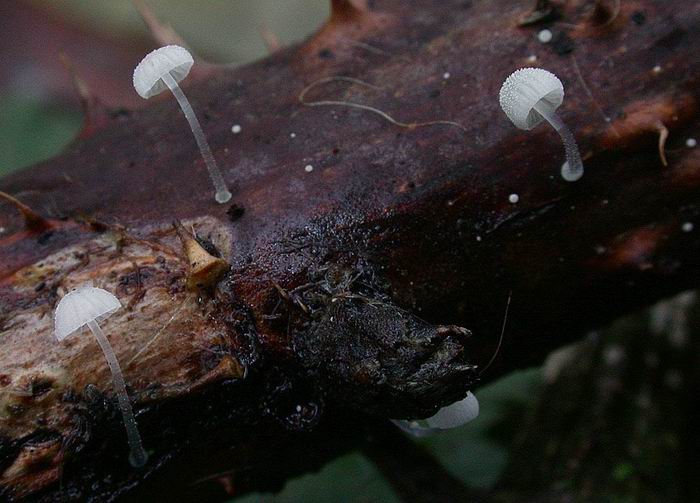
[{"x": 526, "y": 88}]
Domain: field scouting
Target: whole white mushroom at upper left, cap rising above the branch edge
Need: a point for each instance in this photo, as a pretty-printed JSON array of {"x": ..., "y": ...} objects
[{"x": 163, "y": 69}]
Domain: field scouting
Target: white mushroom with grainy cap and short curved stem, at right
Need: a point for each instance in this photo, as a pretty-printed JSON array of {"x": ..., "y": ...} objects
[{"x": 532, "y": 95}]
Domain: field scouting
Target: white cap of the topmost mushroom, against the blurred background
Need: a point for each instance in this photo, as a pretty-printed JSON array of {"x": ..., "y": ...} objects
[{"x": 149, "y": 72}]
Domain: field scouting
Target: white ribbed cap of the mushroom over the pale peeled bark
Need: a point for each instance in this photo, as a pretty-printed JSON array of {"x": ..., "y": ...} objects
[{"x": 81, "y": 306}]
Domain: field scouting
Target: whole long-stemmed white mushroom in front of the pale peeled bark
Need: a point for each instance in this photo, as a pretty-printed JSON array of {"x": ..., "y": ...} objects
[{"x": 88, "y": 305}]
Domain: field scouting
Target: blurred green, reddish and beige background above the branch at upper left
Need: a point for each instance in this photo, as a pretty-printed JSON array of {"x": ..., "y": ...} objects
[{"x": 104, "y": 40}]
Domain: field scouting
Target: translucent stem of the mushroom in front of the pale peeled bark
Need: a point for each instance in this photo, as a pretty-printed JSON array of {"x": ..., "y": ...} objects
[{"x": 138, "y": 456}]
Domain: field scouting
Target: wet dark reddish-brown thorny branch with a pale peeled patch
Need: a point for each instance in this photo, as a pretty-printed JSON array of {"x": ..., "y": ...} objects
[{"x": 349, "y": 281}]
